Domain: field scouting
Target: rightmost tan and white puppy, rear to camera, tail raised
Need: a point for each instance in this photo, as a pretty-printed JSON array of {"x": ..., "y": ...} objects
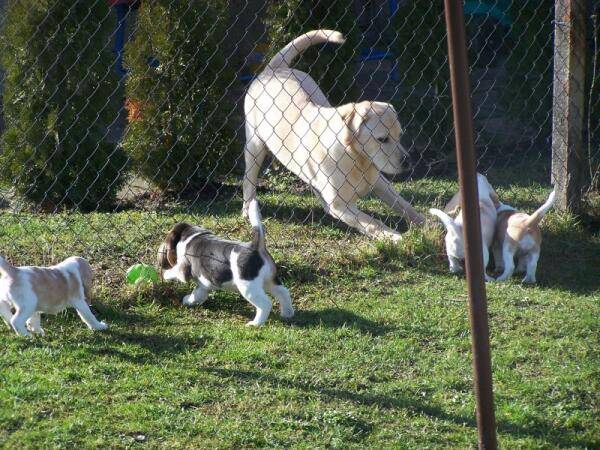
[{"x": 518, "y": 236}]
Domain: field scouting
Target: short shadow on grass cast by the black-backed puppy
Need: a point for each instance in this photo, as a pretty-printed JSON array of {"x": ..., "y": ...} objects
[{"x": 337, "y": 318}]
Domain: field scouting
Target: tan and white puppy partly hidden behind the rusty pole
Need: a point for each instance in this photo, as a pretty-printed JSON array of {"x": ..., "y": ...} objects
[{"x": 455, "y": 247}]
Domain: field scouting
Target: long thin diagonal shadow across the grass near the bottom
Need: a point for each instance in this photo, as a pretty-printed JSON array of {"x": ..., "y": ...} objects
[{"x": 538, "y": 428}]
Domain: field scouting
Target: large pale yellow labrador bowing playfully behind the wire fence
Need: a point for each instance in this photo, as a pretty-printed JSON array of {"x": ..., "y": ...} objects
[{"x": 339, "y": 151}]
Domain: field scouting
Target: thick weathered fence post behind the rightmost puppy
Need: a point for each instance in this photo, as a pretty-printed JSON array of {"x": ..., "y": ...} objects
[{"x": 568, "y": 102}]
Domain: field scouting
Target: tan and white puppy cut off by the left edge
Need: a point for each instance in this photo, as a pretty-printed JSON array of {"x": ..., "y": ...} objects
[{"x": 34, "y": 290}]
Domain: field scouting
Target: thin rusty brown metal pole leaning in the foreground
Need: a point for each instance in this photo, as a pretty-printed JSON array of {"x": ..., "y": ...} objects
[{"x": 465, "y": 152}]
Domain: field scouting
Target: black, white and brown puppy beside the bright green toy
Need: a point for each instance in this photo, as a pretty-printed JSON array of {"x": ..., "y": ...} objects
[{"x": 191, "y": 252}]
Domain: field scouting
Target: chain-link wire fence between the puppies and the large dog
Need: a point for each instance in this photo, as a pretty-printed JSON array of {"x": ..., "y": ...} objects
[{"x": 119, "y": 118}]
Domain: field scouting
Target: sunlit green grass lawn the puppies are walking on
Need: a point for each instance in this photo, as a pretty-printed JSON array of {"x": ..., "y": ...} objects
[{"x": 378, "y": 355}]
